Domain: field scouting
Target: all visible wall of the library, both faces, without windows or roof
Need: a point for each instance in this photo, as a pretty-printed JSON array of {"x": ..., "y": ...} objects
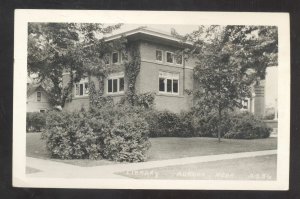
[{"x": 147, "y": 81}]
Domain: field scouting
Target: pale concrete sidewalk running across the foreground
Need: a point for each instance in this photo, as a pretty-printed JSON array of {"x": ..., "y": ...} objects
[{"x": 55, "y": 169}]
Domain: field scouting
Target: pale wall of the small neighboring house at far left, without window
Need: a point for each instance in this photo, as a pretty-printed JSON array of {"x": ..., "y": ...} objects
[{"x": 35, "y": 106}]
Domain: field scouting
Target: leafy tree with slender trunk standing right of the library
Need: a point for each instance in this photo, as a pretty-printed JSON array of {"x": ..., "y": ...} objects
[{"x": 230, "y": 59}]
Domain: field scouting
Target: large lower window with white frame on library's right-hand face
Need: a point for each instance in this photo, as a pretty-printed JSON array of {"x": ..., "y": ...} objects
[{"x": 169, "y": 82}]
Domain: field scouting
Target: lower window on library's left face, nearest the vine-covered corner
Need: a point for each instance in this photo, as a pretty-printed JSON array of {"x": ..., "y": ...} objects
[{"x": 115, "y": 83}]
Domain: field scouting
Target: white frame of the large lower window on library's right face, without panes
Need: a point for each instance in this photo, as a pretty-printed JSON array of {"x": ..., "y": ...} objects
[{"x": 169, "y": 76}]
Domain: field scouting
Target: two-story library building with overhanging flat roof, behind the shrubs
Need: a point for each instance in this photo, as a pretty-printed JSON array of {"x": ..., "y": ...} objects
[{"x": 161, "y": 72}]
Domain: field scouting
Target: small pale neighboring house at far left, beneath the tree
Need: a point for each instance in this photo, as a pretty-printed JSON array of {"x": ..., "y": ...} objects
[{"x": 37, "y": 98}]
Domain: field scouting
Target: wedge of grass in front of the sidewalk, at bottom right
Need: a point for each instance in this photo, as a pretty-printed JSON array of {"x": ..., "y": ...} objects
[{"x": 253, "y": 168}]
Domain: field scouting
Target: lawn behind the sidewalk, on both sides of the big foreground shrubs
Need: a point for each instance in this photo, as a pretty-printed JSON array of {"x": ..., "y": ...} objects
[{"x": 164, "y": 148}]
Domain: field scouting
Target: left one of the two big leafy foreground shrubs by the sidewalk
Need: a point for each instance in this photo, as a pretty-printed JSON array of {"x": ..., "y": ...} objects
[{"x": 69, "y": 136}]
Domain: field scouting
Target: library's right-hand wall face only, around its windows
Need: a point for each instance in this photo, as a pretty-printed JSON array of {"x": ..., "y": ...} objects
[{"x": 148, "y": 79}]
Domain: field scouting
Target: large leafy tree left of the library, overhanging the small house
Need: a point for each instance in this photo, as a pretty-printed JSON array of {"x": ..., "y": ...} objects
[{"x": 54, "y": 48}]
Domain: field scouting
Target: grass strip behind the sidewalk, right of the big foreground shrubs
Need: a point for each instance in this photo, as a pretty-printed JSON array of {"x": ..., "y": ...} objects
[{"x": 169, "y": 148}]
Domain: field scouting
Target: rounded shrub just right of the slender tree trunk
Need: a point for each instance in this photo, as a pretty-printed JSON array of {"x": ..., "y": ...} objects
[{"x": 248, "y": 126}]
